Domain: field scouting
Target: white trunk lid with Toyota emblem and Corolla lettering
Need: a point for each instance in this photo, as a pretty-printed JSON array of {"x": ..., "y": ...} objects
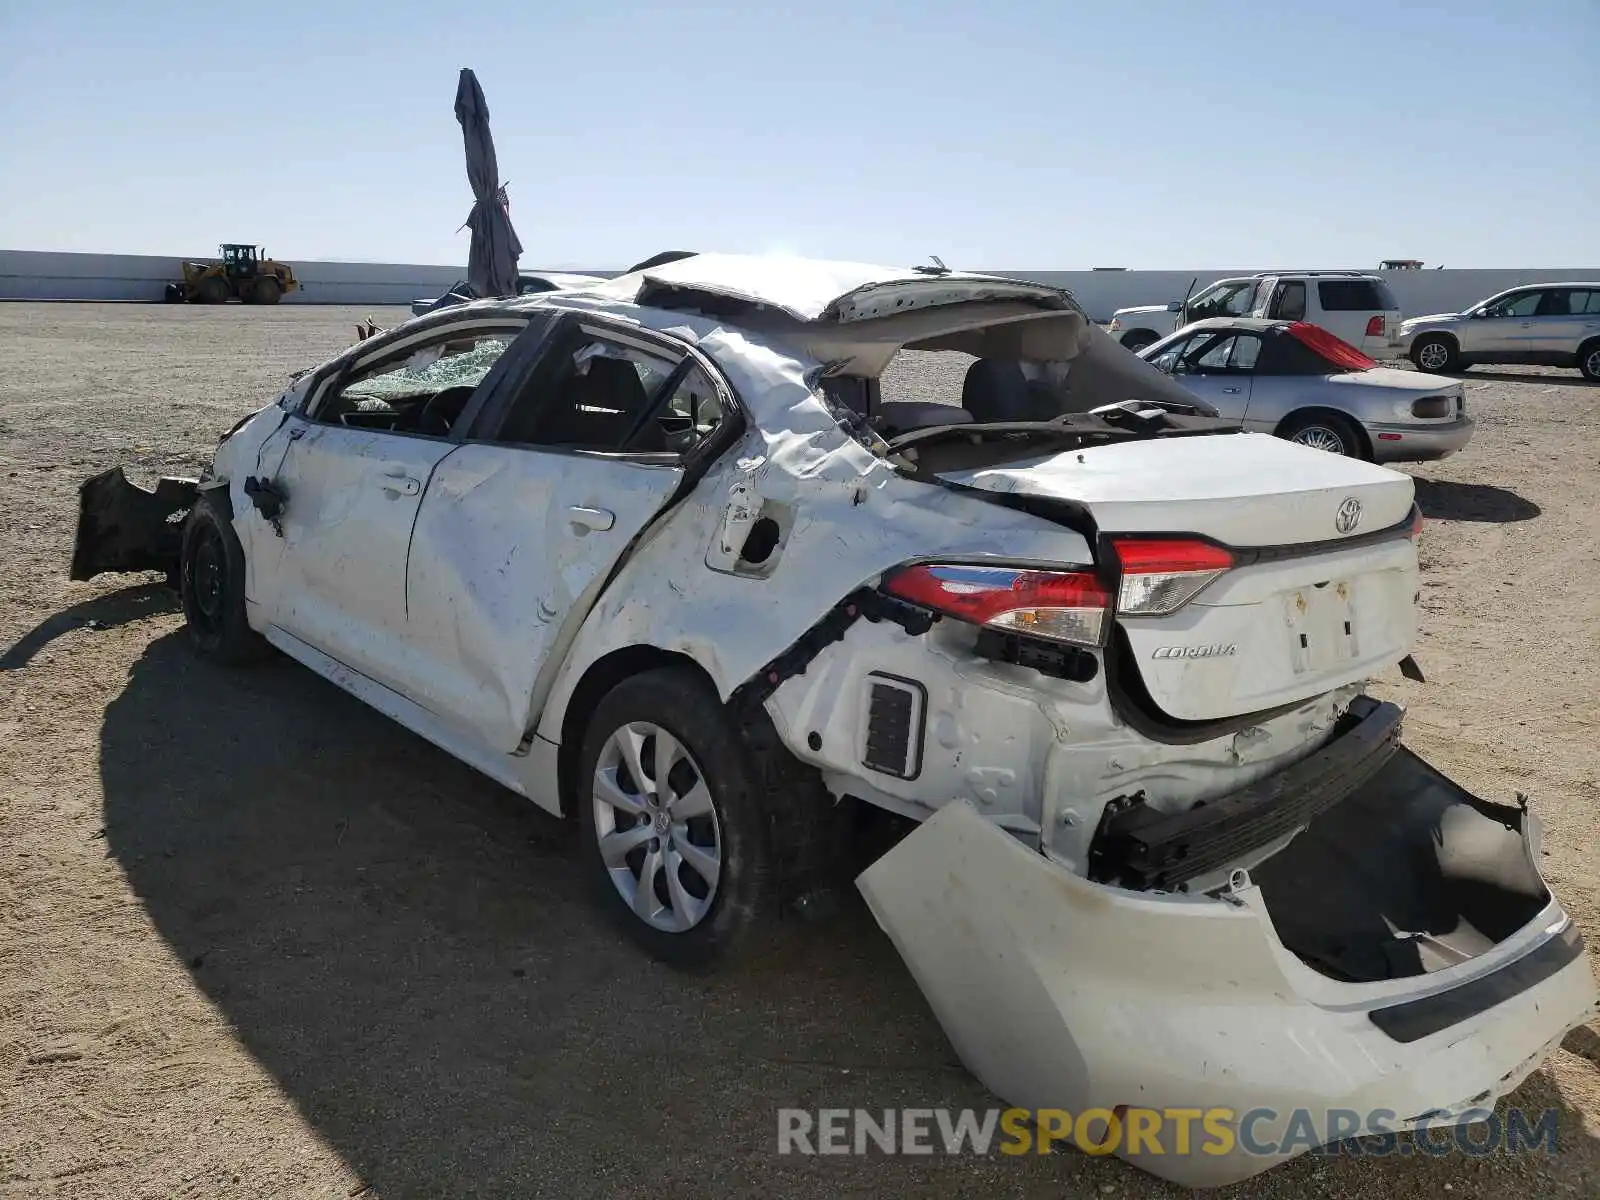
[{"x": 1311, "y": 606}]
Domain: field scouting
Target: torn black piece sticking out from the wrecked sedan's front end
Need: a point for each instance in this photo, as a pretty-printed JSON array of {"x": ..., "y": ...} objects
[{"x": 127, "y": 529}]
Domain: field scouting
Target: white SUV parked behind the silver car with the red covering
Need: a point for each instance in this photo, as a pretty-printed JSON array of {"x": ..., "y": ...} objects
[{"x": 1359, "y": 310}]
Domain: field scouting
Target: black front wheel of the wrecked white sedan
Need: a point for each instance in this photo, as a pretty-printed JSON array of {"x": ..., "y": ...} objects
[{"x": 212, "y": 586}]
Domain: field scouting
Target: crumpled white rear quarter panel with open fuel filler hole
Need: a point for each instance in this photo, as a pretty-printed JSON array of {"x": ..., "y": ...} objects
[{"x": 854, "y": 519}]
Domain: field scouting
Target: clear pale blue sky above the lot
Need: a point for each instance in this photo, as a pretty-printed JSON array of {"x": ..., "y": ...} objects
[{"x": 994, "y": 134}]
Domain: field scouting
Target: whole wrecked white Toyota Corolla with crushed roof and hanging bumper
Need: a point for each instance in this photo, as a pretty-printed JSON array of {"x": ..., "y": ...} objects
[{"x": 662, "y": 556}]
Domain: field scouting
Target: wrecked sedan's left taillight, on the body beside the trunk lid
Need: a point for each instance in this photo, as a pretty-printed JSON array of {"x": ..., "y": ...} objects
[{"x": 1057, "y": 606}]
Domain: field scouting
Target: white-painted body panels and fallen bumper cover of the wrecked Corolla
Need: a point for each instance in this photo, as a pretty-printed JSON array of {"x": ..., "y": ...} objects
[{"x": 1054, "y": 990}]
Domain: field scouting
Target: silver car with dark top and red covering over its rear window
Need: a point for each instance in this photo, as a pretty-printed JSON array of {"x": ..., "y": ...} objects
[{"x": 1308, "y": 386}]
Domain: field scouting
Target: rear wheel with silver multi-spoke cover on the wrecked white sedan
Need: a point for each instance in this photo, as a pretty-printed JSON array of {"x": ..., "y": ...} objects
[{"x": 708, "y": 826}]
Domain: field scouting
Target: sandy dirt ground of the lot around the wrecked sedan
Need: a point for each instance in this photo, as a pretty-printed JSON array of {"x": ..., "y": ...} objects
[{"x": 255, "y": 940}]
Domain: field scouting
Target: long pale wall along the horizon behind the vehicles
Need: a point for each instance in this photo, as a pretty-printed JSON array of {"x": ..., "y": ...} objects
[{"x": 26, "y": 274}]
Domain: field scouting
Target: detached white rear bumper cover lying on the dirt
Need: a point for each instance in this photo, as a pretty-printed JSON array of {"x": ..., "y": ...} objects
[{"x": 1065, "y": 994}]
